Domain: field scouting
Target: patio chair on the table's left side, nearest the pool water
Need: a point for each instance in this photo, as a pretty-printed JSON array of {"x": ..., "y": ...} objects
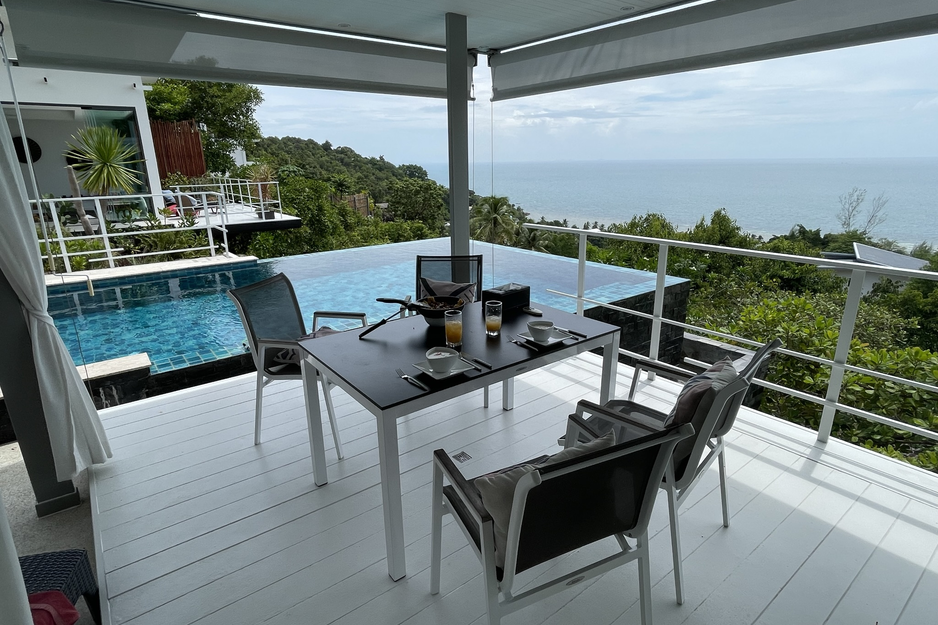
[{"x": 273, "y": 324}]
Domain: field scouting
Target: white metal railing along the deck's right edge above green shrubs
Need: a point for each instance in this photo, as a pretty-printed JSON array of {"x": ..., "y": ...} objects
[{"x": 838, "y": 364}]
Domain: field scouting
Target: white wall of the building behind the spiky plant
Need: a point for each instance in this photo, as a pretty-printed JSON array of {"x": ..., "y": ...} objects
[{"x": 38, "y": 87}]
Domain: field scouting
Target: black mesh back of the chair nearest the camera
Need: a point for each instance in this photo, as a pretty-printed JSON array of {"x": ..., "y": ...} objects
[{"x": 607, "y": 492}]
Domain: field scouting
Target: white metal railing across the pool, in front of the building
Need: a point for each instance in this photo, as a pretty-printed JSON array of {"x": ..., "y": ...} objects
[{"x": 105, "y": 235}]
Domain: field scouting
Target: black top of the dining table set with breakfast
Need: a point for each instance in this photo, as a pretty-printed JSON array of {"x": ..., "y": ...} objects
[{"x": 368, "y": 365}]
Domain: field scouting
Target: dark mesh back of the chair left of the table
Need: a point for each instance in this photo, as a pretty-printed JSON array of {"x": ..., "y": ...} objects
[{"x": 269, "y": 310}]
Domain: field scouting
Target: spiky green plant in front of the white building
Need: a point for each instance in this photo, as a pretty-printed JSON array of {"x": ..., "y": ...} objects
[{"x": 103, "y": 160}]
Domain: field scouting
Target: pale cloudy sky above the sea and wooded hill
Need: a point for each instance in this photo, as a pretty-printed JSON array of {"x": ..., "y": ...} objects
[{"x": 872, "y": 101}]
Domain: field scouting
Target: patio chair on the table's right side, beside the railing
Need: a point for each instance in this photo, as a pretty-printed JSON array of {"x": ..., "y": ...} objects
[{"x": 707, "y": 402}]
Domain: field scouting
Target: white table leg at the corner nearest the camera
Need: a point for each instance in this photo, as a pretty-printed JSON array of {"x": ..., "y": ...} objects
[{"x": 390, "y": 463}]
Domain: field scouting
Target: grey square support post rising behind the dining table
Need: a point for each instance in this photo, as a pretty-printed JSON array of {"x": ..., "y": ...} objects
[{"x": 457, "y": 112}]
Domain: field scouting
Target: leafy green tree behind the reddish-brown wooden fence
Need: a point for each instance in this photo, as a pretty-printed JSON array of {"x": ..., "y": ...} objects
[{"x": 226, "y": 111}]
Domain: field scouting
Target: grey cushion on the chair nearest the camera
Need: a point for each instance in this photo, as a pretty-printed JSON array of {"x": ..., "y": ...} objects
[{"x": 498, "y": 489}]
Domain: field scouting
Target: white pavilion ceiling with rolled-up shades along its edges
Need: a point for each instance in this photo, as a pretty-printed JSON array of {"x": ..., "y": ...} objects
[{"x": 140, "y": 37}]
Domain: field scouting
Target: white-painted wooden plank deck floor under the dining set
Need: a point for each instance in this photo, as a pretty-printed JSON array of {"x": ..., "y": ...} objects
[{"x": 194, "y": 524}]
